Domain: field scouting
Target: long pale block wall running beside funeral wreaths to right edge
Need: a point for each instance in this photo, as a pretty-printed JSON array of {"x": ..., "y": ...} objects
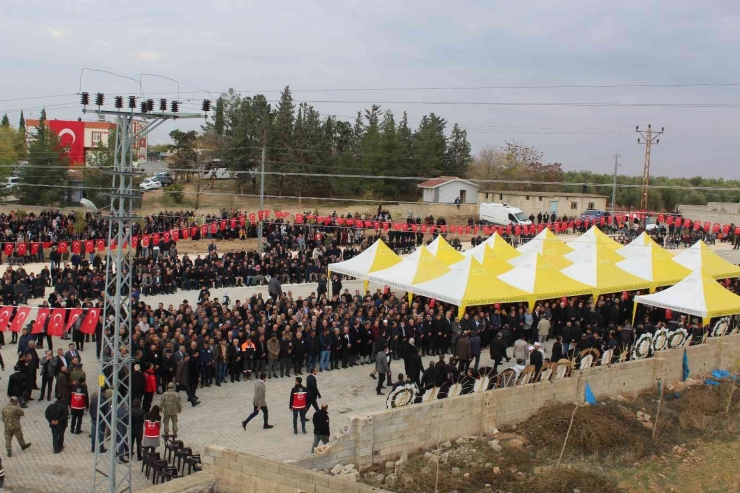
[{"x": 382, "y": 436}]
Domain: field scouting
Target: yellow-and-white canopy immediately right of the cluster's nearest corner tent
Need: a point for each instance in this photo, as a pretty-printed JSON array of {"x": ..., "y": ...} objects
[{"x": 538, "y": 277}]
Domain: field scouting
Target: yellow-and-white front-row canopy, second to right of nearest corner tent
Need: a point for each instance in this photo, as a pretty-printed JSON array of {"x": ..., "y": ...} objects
[{"x": 597, "y": 268}]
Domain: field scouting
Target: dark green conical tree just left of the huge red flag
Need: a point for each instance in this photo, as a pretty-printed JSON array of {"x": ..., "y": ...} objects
[{"x": 39, "y": 182}]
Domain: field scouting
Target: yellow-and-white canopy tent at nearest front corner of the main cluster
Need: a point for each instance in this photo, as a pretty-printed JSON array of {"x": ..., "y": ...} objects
[{"x": 469, "y": 283}]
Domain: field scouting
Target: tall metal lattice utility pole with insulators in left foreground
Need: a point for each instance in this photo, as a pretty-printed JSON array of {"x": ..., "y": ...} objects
[{"x": 111, "y": 468}]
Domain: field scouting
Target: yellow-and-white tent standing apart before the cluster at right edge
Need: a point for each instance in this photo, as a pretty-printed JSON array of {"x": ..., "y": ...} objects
[{"x": 699, "y": 294}]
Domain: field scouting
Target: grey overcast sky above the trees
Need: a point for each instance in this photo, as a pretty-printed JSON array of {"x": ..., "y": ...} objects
[{"x": 263, "y": 46}]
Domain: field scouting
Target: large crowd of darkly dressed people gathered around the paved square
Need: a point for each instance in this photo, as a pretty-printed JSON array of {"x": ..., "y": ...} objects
[{"x": 183, "y": 350}]
